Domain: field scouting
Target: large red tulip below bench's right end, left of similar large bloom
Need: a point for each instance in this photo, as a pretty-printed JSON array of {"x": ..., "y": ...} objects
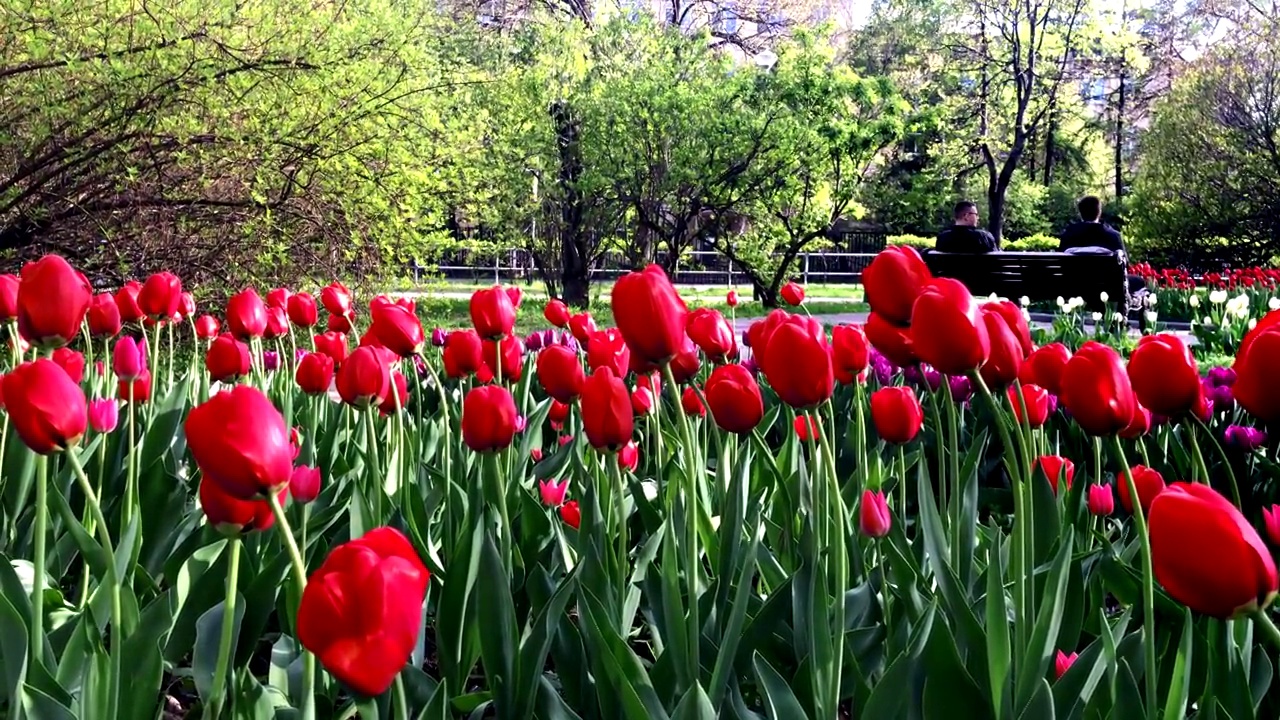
[{"x": 1096, "y": 390}]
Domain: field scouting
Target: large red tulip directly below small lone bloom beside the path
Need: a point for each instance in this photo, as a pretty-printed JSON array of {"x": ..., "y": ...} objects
[{"x": 798, "y": 363}]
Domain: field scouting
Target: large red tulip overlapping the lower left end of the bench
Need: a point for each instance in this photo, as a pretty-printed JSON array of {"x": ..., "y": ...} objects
[{"x": 948, "y": 330}]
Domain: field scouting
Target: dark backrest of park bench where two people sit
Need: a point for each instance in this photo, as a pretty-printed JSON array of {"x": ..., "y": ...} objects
[{"x": 1039, "y": 276}]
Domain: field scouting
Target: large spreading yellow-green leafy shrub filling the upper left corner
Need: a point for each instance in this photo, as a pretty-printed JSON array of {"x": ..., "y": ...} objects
[{"x": 225, "y": 143}]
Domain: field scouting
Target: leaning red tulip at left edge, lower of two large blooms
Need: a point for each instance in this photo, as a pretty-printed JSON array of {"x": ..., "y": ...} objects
[{"x": 47, "y": 408}]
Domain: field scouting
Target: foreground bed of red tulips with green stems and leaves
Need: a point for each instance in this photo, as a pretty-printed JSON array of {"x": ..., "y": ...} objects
[{"x": 326, "y": 512}]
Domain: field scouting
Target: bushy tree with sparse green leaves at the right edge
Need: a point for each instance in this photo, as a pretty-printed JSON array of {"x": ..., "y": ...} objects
[{"x": 1209, "y": 190}]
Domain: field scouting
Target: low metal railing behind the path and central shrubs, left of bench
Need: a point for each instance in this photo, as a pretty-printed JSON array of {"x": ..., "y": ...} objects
[{"x": 694, "y": 268}]
